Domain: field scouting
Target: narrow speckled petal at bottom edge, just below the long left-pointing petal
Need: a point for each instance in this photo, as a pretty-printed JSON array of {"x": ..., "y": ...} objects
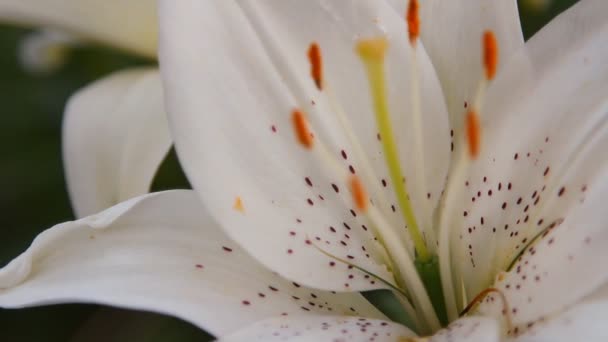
[{"x": 321, "y": 328}]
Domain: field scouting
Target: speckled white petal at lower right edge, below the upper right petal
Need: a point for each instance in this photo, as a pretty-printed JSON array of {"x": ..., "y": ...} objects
[{"x": 563, "y": 267}]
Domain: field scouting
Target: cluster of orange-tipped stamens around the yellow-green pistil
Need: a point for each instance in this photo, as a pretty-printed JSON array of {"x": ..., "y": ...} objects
[{"x": 424, "y": 284}]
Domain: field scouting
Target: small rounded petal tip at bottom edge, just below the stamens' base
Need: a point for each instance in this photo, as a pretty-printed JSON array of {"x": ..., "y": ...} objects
[{"x": 470, "y": 329}]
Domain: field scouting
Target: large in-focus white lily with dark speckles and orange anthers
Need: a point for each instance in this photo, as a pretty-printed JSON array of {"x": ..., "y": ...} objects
[{"x": 505, "y": 251}]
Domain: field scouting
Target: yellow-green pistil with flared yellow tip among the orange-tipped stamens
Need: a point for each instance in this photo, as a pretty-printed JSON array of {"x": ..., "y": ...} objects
[{"x": 372, "y": 52}]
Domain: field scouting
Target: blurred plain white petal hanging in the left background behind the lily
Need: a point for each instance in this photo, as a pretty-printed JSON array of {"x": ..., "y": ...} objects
[{"x": 115, "y": 135}]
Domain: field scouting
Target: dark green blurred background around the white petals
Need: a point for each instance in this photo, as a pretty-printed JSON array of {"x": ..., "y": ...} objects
[{"x": 33, "y": 195}]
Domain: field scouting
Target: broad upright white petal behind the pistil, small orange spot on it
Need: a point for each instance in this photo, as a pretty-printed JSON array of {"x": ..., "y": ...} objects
[{"x": 232, "y": 109}]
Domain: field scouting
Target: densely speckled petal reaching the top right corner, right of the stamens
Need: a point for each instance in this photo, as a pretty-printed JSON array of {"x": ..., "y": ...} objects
[{"x": 545, "y": 128}]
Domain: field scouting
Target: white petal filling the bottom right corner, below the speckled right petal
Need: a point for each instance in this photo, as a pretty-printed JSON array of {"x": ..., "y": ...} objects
[{"x": 584, "y": 322}]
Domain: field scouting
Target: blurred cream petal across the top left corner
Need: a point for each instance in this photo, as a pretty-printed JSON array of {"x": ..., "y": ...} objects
[{"x": 129, "y": 25}]
